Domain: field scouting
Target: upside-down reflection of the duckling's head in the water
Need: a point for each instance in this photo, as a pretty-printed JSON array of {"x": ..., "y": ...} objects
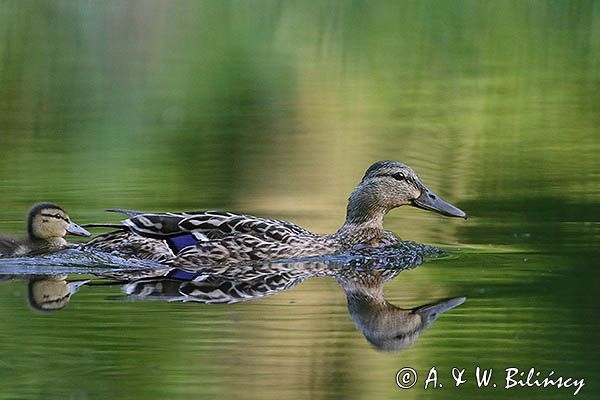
[{"x": 52, "y": 293}]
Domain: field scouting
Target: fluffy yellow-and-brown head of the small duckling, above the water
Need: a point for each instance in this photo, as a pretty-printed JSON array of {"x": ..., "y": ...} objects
[{"x": 49, "y": 222}]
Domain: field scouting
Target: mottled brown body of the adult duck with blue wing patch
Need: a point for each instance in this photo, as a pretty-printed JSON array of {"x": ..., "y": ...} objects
[{"x": 192, "y": 239}]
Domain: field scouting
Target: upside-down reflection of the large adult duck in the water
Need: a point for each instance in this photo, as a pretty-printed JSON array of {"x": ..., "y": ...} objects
[{"x": 386, "y": 326}]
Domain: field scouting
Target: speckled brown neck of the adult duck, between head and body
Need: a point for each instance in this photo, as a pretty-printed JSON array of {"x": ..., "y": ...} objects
[{"x": 364, "y": 219}]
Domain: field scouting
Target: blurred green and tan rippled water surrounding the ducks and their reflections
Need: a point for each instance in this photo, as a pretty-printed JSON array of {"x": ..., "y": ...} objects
[{"x": 276, "y": 108}]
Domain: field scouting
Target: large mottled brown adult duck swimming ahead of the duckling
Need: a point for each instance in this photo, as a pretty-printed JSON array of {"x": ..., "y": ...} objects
[{"x": 190, "y": 239}]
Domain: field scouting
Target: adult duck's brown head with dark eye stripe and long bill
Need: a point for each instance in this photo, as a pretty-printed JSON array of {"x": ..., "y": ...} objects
[{"x": 390, "y": 184}]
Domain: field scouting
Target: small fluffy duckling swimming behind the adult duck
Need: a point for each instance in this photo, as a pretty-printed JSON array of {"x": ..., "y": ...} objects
[{"x": 47, "y": 224}]
